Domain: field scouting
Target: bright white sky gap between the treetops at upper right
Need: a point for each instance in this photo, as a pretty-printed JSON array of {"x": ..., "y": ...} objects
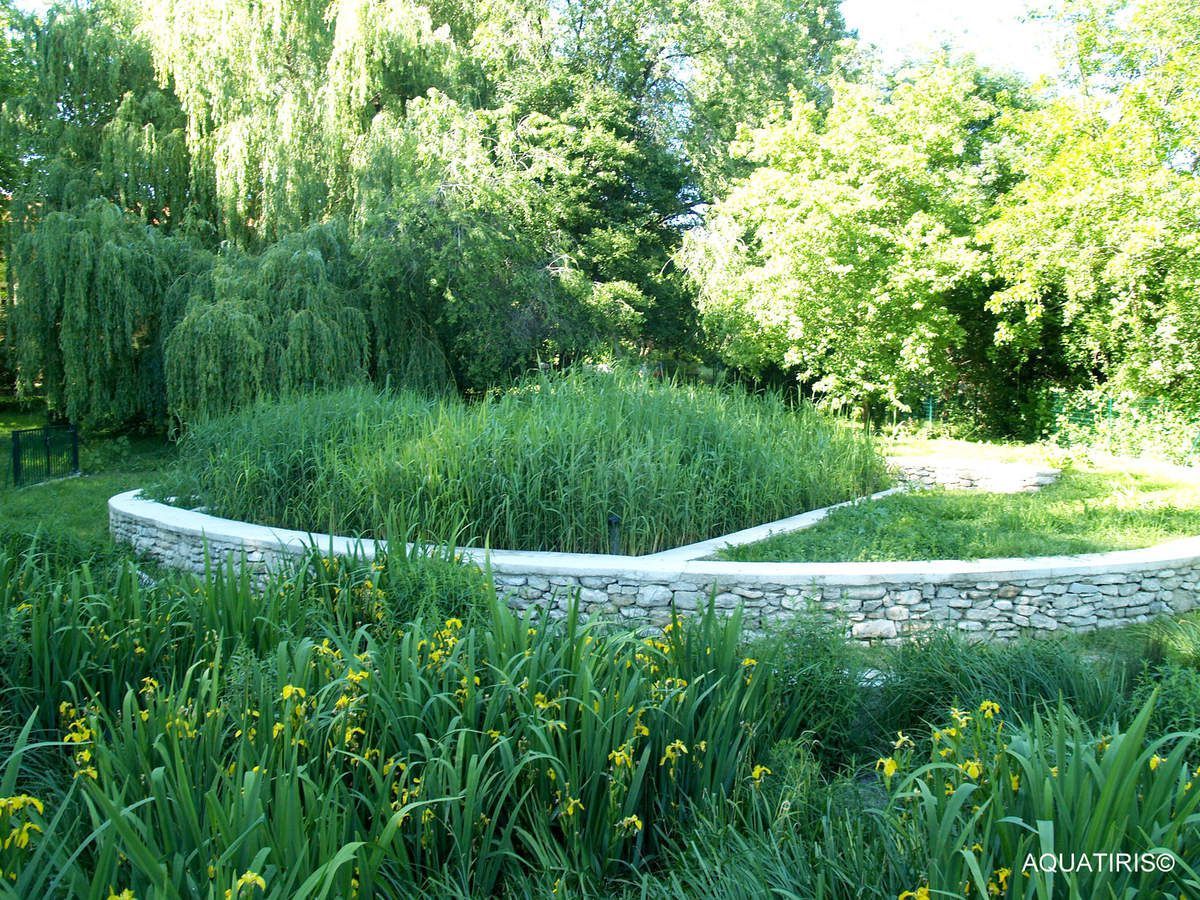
[{"x": 992, "y": 29}]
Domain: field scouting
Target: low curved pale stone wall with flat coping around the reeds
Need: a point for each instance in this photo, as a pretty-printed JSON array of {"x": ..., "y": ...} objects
[{"x": 997, "y": 599}]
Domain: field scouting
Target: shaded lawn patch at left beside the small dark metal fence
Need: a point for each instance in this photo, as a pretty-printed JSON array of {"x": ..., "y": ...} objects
[{"x": 79, "y": 507}]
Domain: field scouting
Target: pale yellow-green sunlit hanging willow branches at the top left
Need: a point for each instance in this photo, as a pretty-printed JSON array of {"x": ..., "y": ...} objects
[{"x": 278, "y": 97}]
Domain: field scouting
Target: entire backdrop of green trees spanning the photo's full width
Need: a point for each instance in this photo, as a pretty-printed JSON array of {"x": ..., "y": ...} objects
[{"x": 208, "y": 201}]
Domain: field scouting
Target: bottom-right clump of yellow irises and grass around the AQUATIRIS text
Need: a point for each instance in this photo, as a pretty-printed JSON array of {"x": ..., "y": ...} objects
[{"x": 977, "y": 805}]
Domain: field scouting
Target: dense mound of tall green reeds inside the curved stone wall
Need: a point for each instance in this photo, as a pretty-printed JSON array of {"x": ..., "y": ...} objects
[{"x": 541, "y": 467}]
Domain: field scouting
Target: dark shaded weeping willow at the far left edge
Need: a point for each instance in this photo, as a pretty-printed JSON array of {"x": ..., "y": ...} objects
[{"x": 94, "y": 250}]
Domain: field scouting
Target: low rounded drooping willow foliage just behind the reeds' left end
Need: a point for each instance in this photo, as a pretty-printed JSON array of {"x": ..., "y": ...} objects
[{"x": 278, "y": 323}]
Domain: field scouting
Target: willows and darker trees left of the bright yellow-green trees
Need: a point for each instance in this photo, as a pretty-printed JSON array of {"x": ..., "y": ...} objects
[{"x": 440, "y": 194}]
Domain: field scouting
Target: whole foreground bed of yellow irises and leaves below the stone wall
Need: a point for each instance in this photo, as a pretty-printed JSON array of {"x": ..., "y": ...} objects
[{"x": 383, "y": 729}]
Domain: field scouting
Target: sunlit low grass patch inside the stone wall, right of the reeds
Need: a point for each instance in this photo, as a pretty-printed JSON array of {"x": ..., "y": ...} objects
[{"x": 1095, "y": 507}]
